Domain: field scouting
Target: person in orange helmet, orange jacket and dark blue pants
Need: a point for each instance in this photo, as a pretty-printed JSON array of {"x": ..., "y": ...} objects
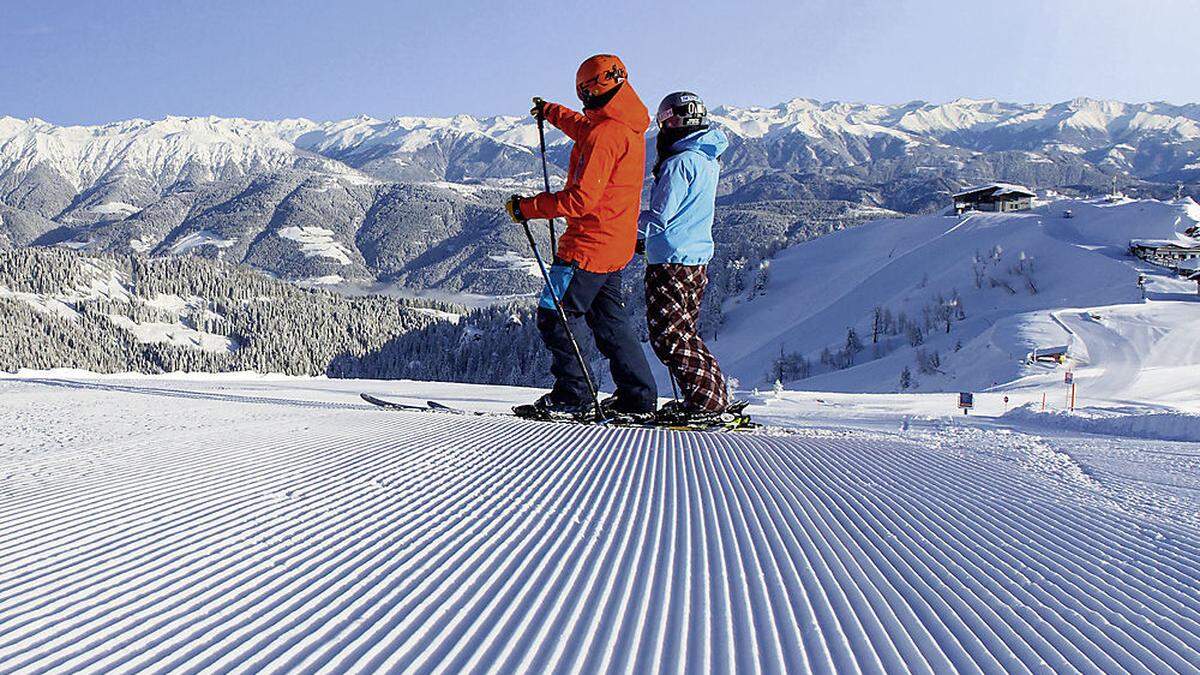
[{"x": 601, "y": 202}]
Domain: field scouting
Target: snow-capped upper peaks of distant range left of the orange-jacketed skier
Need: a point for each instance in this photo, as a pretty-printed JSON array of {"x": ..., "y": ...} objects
[{"x": 89, "y": 174}]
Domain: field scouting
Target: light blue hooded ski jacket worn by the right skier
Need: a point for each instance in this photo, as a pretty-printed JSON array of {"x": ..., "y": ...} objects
[{"x": 679, "y": 226}]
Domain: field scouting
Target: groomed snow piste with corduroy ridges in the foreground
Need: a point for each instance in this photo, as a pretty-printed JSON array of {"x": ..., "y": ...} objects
[{"x": 158, "y": 525}]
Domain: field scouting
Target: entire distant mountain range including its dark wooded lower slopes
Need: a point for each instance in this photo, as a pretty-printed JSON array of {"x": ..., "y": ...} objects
[{"x": 416, "y": 200}]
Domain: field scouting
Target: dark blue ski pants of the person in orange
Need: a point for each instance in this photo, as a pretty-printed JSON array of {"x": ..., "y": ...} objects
[{"x": 596, "y": 301}]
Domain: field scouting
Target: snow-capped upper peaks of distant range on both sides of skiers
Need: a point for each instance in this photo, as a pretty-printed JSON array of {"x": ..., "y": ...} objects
[{"x": 1145, "y": 141}]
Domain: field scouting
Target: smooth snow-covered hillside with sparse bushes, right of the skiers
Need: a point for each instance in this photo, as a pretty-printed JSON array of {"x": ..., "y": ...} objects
[{"x": 962, "y": 302}]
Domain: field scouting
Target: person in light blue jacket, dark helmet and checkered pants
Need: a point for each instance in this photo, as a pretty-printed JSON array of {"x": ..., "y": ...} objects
[{"x": 677, "y": 236}]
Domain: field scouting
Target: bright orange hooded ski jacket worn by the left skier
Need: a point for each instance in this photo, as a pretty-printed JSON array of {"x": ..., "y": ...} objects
[{"x": 604, "y": 184}]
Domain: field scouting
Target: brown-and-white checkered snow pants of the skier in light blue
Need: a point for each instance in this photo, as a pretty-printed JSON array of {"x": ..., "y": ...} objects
[{"x": 673, "y": 308}]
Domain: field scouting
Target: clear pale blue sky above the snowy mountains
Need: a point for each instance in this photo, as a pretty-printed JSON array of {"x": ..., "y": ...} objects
[{"x": 93, "y": 62}]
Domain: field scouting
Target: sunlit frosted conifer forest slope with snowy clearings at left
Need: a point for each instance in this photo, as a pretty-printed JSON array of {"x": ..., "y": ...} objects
[{"x": 128, "y": 314}]
